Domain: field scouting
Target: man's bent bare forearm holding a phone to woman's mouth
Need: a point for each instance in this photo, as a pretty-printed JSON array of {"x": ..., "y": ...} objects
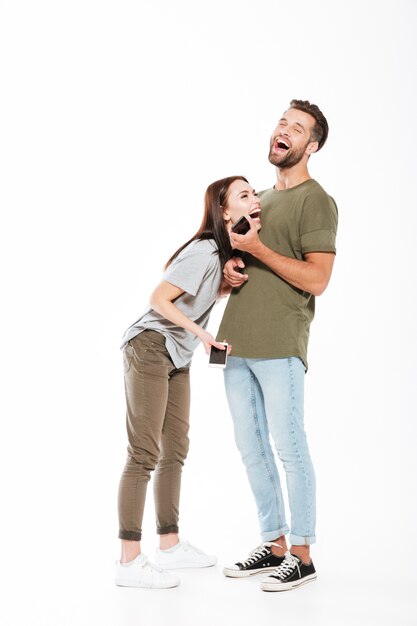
[{"x": 312, "y": 274}]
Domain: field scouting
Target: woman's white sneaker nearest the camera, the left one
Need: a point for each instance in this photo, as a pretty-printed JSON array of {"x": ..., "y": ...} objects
[{"x": 141, "y": 573}]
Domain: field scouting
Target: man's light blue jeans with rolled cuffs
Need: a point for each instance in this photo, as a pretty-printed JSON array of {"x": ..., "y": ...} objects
[{"x": 266, "y": 397}]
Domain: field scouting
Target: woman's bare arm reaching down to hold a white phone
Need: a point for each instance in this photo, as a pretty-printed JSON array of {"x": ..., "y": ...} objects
[{"x": 162, "y": 301}]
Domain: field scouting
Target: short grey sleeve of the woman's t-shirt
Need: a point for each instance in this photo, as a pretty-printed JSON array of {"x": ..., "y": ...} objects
[{"x": 188, "y": 270}]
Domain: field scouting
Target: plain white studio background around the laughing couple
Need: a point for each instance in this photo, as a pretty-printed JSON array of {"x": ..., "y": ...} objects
[{"x": 115, "y": 116}]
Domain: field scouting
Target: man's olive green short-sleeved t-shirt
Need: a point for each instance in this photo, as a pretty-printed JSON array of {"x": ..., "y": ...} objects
[{"x": 267, "y": 317}]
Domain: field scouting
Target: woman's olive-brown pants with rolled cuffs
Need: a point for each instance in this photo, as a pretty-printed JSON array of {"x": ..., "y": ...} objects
[{"x": 157, "y": 421}]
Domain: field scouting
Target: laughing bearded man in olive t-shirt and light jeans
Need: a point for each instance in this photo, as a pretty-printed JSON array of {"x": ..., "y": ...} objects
[{"x": 267, "y": 320}]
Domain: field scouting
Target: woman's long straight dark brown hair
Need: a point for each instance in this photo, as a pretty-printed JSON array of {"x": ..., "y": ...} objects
[{"x": 213, "y": 225}]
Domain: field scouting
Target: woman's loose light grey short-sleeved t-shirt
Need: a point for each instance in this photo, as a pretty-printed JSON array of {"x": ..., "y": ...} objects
[{"x": 198, "y": 272}]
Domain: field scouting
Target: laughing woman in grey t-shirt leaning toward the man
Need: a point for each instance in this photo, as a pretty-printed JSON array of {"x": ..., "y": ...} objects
[{"x": 157, "y": 350}]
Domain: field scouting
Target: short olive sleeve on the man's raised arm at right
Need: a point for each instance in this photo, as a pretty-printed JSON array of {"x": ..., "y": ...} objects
[{"x": 318, "y": 225}]
